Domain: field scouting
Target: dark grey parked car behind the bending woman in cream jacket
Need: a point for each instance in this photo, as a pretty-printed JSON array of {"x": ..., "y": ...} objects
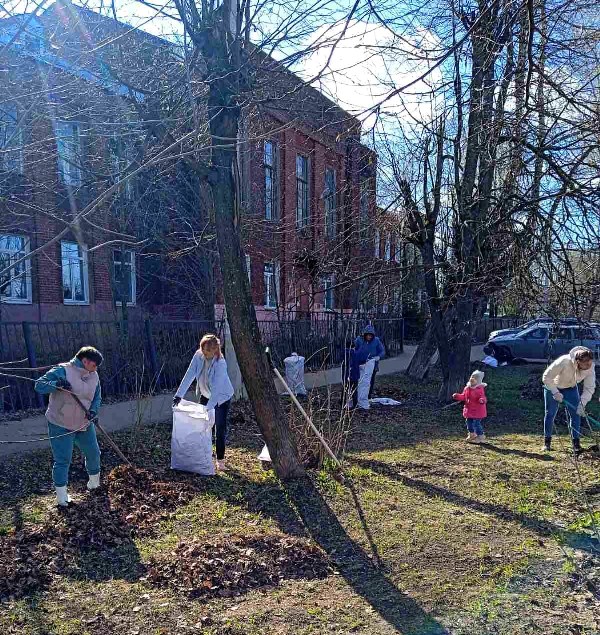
[{"x": 543, "y": 342}]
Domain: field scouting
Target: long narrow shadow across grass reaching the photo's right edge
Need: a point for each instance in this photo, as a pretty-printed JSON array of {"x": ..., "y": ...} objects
[{"x": 545, "y": 528}]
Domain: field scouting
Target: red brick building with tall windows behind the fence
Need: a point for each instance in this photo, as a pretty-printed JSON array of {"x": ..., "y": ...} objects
[{"x": 77, "y": 148}]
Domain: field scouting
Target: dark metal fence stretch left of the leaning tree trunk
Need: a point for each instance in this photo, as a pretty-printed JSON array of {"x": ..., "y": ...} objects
[{"x": 139, "y": 355}]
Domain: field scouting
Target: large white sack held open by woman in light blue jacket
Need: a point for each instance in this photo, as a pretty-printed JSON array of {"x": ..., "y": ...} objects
[{"x": 191, "y": 440}]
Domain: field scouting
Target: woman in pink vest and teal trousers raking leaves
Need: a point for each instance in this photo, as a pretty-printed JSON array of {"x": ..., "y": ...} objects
[{"x": 68, "y": 423}]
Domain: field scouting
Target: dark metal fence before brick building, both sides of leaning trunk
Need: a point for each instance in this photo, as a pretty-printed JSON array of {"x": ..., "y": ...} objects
[{"x": 141, "y": 356}]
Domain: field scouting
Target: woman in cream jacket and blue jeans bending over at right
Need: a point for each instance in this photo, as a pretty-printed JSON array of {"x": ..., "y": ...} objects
[{"x": 560, "y": 384}]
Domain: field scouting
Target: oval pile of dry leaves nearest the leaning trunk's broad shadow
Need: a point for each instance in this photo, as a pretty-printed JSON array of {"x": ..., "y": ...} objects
[{"x": 226, "y": 570}]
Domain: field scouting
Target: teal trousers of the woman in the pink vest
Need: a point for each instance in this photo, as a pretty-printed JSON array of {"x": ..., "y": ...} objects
[{"x": 62, "y": 451}]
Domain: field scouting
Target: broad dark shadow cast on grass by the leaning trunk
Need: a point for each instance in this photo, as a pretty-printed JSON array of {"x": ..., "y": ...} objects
[{"x": 301, "y": 499}]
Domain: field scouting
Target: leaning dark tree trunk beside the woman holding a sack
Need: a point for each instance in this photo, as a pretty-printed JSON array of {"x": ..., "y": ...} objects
[{"x": 224, "y": 118}]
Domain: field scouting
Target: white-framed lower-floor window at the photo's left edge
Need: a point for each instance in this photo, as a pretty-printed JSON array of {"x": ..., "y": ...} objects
[{"x": 15, "y": 283}]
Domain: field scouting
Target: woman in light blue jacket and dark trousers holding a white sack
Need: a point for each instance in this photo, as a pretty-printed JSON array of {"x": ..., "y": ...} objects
[{"x": 213, "y": 387}]
